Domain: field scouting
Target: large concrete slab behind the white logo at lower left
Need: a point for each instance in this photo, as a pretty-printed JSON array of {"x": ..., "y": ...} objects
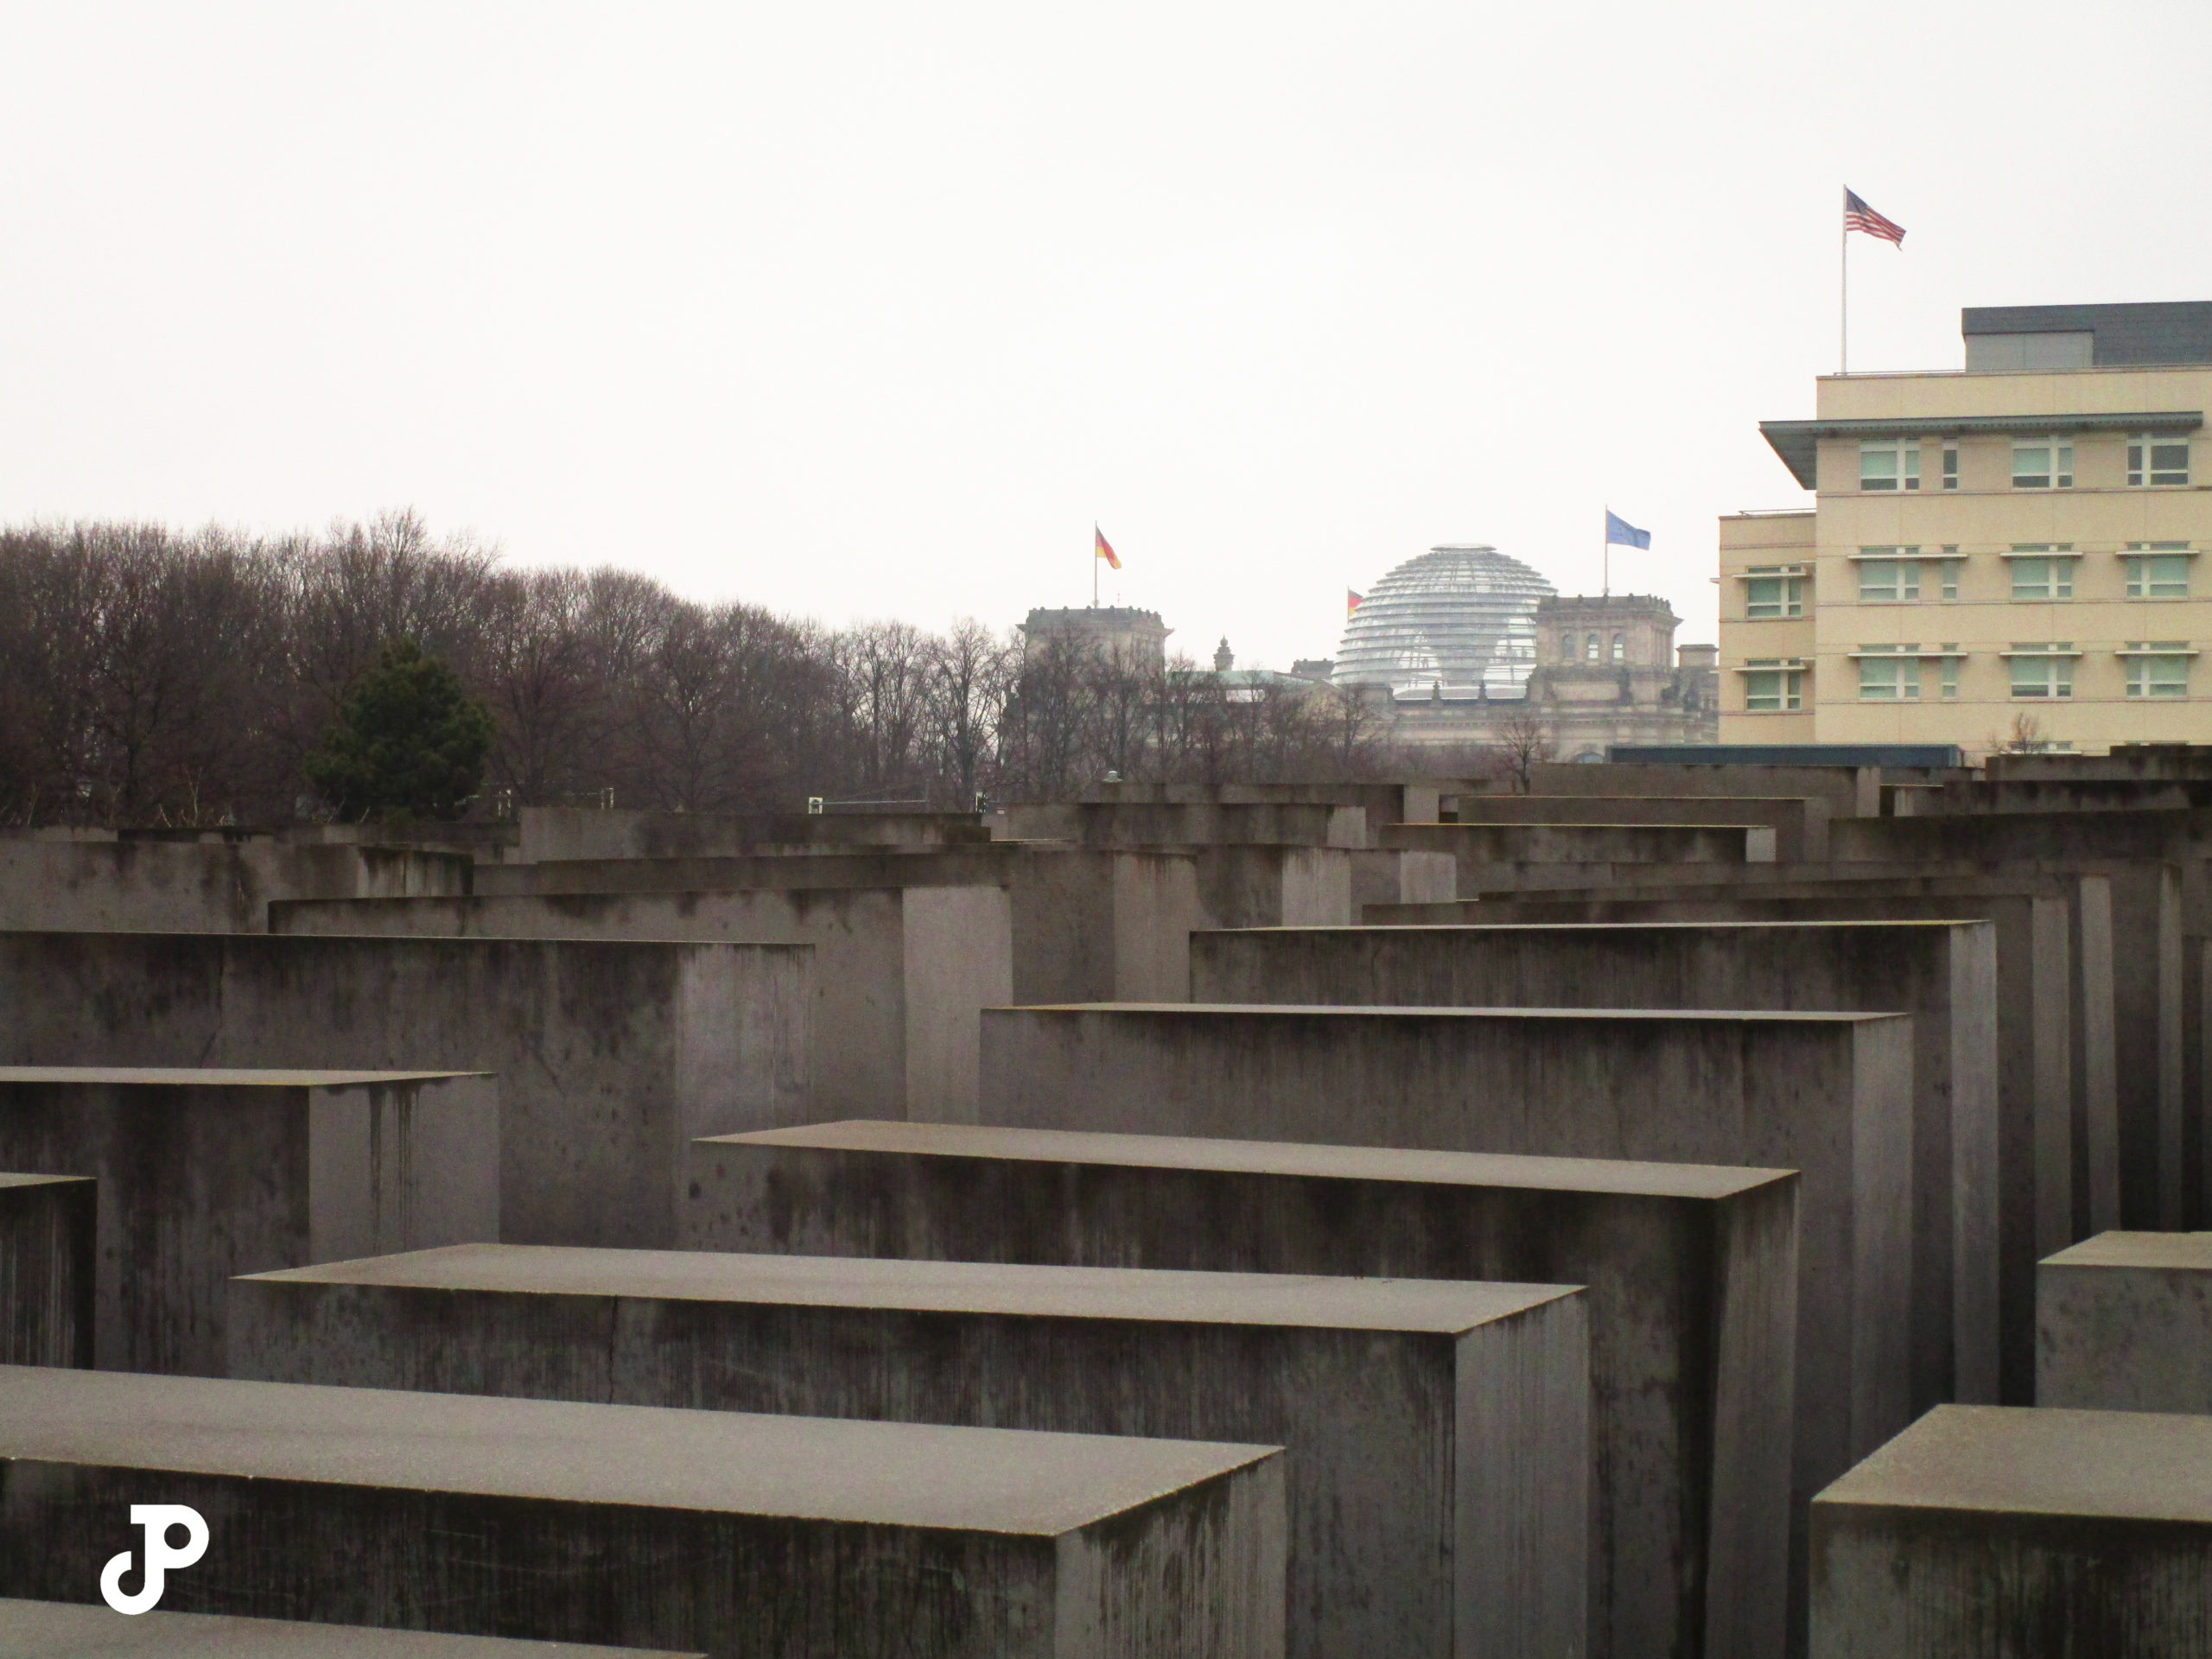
[{"x": 623, "y": 1525}]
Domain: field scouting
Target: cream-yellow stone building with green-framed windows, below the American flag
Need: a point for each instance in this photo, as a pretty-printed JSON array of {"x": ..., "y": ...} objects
[{"x": 1999, "y": 559}]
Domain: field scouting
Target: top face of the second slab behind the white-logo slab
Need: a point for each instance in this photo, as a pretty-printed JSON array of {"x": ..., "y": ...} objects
[{"x": 1269, "y": 1158}]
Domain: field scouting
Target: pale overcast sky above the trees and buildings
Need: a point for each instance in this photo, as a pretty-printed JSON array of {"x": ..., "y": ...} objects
[{"x": 870, "y": 311}]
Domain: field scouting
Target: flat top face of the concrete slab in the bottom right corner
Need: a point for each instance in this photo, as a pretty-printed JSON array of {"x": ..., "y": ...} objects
[{"x": 2041, "y": 1461}]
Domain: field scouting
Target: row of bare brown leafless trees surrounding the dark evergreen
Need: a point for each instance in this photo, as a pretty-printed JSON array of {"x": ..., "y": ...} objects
[{"x": 182, "y": 680}]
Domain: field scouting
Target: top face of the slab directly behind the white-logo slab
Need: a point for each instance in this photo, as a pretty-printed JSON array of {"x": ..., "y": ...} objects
[{"x": 1308, "y": 1302}]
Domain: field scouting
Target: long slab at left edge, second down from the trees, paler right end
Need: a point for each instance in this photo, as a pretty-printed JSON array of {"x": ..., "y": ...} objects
[{"x": 609, "y": 1056}]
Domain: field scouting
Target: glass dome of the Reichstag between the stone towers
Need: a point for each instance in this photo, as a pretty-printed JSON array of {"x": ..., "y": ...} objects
[{"x": 1461, "y": 618}]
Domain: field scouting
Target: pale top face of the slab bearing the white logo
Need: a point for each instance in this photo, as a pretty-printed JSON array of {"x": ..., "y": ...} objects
[{"x": 895, "y": 1474}]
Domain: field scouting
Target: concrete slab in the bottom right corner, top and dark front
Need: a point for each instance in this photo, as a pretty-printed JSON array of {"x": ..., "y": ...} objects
[{"x": 2021, "y": 1534}]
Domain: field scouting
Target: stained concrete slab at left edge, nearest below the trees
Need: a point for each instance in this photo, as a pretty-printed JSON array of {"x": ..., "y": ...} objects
[{"x": 213, "y": 884}]
